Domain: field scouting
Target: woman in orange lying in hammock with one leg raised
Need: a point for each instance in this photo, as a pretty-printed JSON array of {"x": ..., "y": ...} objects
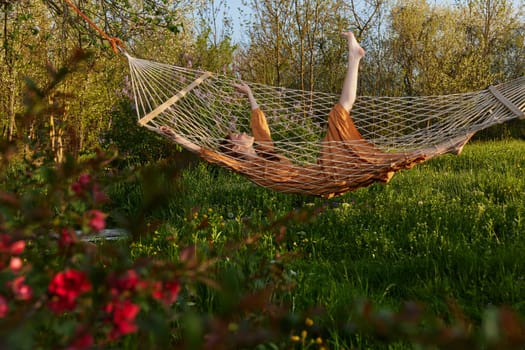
[{"x": 346, "y": 161}]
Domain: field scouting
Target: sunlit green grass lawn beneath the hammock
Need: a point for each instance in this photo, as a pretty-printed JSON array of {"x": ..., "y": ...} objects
[{"x": 452, "y": 229}]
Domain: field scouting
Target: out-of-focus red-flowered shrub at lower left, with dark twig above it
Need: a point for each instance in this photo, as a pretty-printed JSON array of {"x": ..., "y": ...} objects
[{"x": 58, "y": 289}]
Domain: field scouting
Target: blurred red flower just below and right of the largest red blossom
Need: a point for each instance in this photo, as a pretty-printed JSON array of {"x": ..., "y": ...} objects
[{"x": 123, "y": 313}]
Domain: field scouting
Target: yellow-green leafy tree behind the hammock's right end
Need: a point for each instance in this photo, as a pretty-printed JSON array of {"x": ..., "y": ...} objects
[{"x": 454, "y": 48}]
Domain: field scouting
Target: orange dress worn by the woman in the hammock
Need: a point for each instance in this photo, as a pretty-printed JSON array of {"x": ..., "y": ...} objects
[{"x": 346, "y": 162}]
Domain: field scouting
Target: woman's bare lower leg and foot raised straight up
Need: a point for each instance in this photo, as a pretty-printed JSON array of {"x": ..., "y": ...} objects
[{"x": 355, "y": 53}]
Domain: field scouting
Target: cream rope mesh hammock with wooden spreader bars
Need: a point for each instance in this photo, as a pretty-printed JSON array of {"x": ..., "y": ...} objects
[{"x": 390, "y": 133}]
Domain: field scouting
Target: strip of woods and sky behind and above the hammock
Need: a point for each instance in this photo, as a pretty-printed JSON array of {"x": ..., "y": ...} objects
[{"x": 413, "y": 47}]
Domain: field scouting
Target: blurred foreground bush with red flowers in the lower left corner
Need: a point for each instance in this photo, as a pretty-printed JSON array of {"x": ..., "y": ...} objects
[{"x": 51, "y": 275}]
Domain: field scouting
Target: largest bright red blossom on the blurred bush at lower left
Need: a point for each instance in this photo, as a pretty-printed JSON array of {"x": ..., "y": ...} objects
[{"x": 64, "y": 289}]
